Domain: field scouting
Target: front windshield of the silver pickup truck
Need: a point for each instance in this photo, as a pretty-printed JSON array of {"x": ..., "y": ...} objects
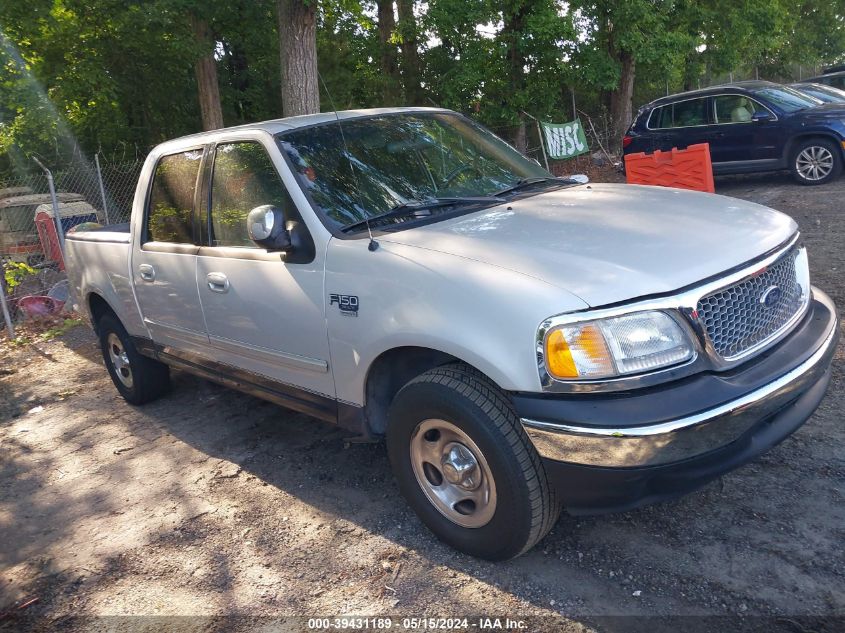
[{"x": 392, "y": 160}]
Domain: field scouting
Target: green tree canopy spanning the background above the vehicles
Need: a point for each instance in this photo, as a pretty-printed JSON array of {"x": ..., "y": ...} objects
[{"x": 111, "y": 74}]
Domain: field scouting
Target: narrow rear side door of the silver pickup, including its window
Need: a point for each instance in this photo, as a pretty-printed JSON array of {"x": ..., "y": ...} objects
[{"x": 165, "y": 260}]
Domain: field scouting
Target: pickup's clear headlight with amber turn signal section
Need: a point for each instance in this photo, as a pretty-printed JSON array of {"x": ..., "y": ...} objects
[{"x": 603, "y": 348}]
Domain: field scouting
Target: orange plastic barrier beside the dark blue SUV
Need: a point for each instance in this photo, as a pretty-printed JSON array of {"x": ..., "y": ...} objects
[{"x": 688, "y": 168}]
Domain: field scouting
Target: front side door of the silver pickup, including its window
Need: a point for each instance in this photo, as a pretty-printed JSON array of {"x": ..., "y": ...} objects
[{"x": 264, "y": 314}]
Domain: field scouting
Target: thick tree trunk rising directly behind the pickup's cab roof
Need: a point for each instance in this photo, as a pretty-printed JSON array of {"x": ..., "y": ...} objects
[{"x": 298, "y": 52}]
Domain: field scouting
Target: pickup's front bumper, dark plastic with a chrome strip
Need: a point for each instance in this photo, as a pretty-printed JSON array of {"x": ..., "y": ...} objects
[{"x": 616, "y": 451}]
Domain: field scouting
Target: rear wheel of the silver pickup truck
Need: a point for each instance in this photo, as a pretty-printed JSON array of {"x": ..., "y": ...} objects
[{"x": 148, "y": 379}]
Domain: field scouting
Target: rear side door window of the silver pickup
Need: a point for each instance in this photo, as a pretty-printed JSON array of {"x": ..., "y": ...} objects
[{"x": 171, "y": 205}]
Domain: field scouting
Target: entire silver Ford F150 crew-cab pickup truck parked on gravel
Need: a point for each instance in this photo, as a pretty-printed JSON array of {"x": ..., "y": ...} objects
[{"x": 523, "y": 342}]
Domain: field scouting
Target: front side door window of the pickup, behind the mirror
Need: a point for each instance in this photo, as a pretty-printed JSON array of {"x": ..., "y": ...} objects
[{"x": 244, "y": 178}]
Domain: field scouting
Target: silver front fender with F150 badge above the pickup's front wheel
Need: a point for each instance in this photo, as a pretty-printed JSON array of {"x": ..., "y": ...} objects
[{"x": 407, "y": 296}]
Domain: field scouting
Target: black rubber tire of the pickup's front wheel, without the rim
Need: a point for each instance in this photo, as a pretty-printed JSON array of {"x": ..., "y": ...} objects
[{"x": 525, "y": 505}]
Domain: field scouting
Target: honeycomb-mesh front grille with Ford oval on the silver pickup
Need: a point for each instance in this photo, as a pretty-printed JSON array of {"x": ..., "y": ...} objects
[{"x": 745, "y": 315}]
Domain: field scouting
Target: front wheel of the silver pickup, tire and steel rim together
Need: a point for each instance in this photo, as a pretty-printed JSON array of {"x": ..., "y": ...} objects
[{"x": 465, "y": 465}]
